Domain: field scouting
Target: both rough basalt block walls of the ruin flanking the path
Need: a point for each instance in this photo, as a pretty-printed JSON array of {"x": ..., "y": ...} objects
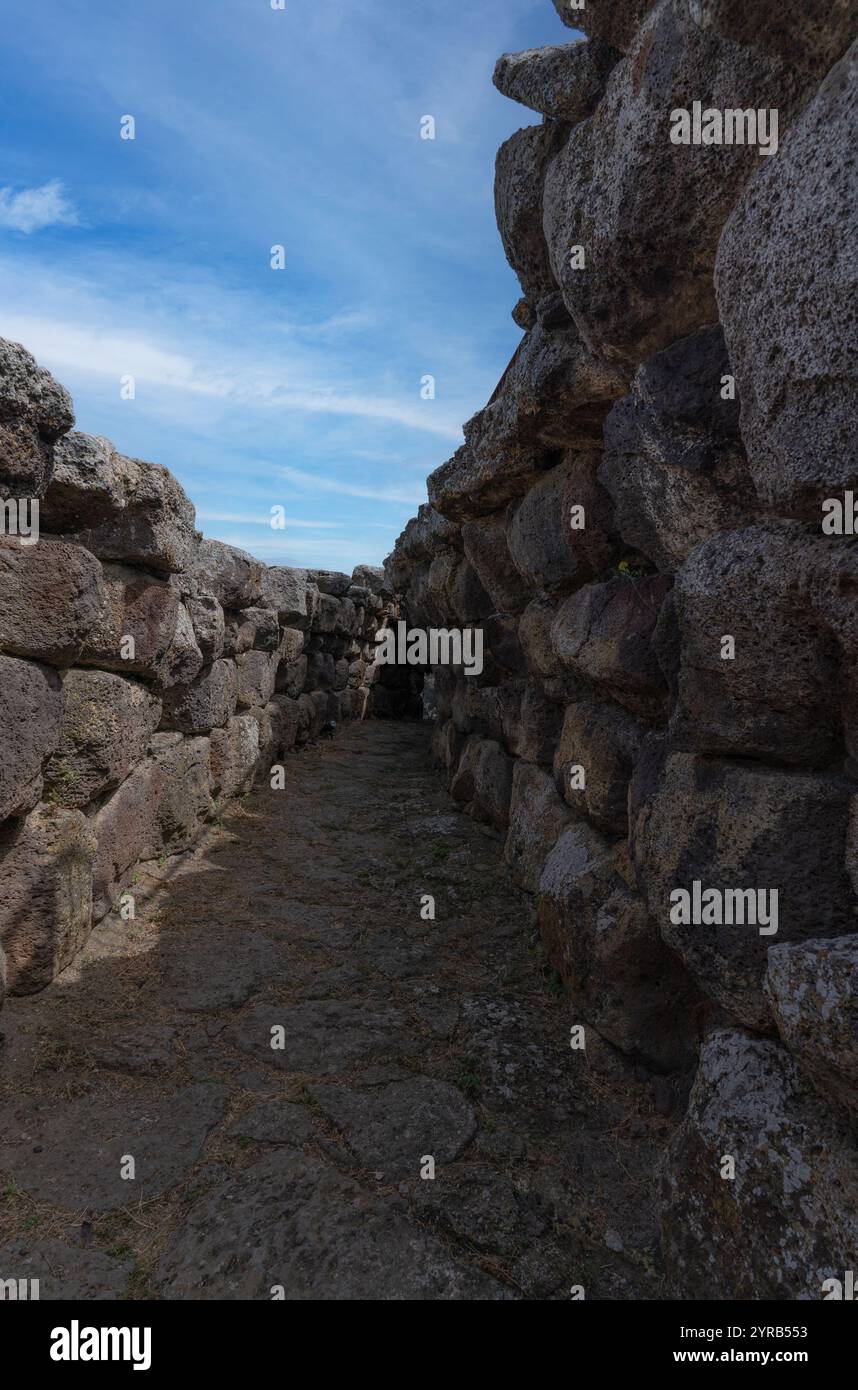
[{"x": 665, "y": 719}]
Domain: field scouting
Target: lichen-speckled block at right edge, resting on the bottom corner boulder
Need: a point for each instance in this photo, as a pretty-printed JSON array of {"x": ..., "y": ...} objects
[{"x": 814, "y": 993}]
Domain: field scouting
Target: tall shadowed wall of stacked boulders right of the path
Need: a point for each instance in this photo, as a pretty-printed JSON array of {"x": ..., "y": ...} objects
[{"x": 636, "y": 525}]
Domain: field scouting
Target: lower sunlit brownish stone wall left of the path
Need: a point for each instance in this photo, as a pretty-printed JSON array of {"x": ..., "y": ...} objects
[{"x": 148, "y": 676}]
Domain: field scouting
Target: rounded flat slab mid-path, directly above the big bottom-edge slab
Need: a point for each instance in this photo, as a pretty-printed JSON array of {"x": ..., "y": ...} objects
[{"x": 394, "y": 1128}]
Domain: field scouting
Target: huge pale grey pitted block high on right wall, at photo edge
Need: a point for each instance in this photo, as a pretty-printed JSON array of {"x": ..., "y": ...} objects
[{"x": 788, "y": 266}]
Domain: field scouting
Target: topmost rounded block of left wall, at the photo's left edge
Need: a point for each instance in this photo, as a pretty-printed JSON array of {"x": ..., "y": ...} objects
[{"x": 34, "y": 414}]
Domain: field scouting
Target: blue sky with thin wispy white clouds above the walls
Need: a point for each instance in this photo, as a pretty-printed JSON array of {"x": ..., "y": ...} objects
[{"x": 151, "y": 258}]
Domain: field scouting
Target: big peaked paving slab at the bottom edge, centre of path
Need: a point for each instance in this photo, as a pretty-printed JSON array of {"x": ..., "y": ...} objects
[{"x": 291, "y": 1224}]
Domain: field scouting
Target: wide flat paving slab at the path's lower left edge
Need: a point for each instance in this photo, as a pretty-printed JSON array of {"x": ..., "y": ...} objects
[{"x": 73, "y": 1154}]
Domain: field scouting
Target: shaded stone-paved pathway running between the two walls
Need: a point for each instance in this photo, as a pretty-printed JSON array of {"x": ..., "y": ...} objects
[{"x": 296, "y": 1170}]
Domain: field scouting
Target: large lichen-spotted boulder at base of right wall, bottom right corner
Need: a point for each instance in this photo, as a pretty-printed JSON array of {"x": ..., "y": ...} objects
[{"x": 788, "y": 1221}]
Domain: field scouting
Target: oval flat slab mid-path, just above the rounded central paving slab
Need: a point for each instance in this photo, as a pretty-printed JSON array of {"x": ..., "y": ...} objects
[{"x": 322, "y": 1038}]
